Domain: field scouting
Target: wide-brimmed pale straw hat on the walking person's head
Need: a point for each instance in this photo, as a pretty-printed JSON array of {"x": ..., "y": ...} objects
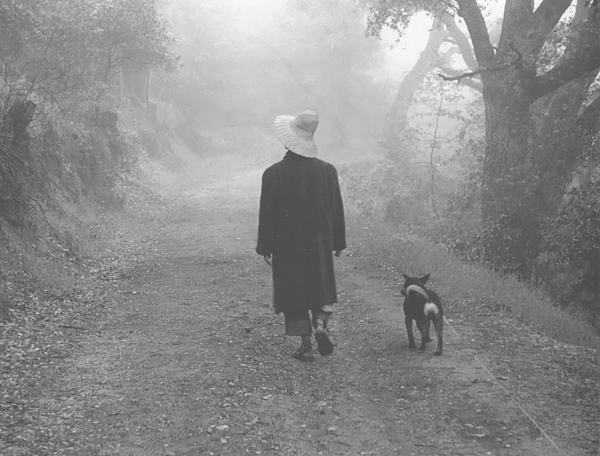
[{"x": 296, "y": 132}]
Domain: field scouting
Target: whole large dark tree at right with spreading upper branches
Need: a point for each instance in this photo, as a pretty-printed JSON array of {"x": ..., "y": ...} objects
[{"x": 520, "y": 179}]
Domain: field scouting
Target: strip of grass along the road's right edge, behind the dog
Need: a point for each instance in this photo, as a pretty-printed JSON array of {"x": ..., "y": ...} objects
[{"x": 399, "y": 251}]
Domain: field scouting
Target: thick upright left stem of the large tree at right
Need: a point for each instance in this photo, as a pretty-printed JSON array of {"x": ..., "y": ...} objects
[{"x": 510, "y": 205}]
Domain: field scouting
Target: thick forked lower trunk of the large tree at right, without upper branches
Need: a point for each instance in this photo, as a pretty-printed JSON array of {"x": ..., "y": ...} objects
[{"x": 527, "y": 165}]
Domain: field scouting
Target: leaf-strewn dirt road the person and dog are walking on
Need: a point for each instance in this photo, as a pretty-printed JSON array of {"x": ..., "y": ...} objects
[{"x": 191, "y": 360}]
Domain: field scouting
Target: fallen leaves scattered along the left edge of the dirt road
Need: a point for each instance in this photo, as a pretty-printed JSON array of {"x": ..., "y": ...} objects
[{"x": 48, "y": 315}]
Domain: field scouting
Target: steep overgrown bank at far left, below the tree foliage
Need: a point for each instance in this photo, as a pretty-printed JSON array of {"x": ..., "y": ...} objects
[{"x": 68, "y": 176}]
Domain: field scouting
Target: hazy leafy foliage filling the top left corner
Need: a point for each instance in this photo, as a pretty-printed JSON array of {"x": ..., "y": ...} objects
[{"x": 67, "y": 49}]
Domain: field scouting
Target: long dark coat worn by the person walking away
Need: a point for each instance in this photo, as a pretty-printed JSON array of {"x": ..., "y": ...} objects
[{"x": 301, "y": 223}]
